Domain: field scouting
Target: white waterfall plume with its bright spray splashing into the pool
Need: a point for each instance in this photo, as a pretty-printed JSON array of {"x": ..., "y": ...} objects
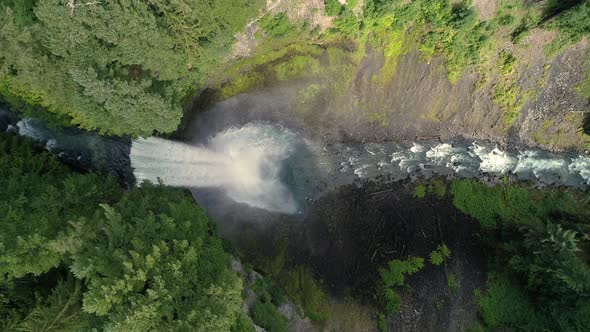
[{"x": 245, "y": 163}]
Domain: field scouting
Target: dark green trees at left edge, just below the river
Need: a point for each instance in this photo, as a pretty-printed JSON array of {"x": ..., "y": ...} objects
[{"x": 38, "y": 201}]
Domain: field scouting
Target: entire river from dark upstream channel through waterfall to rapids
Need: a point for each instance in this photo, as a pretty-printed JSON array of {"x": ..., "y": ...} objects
[{"x": 271, "y": 165}]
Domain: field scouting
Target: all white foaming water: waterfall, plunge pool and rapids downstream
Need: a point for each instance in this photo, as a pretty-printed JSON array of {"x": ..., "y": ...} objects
[{"x": 247, "y": 163}]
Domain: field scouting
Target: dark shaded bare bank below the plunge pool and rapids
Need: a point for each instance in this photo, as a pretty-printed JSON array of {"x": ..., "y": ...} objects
[{"x": 350, "y": 233}]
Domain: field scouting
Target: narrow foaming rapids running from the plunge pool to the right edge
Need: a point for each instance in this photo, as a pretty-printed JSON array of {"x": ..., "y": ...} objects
[{"x": 474, "y": 160}]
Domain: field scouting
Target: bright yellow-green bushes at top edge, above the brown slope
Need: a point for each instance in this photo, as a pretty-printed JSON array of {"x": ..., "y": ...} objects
[{"x": 397, "y": 27}]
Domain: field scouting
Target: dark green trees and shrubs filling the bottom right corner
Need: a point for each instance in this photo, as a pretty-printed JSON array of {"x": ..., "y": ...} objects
[{"x": 542, "y": 280}]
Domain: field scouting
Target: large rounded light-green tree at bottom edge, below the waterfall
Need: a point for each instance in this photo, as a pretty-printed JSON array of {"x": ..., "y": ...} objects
[{"x": 151, "y": 263}]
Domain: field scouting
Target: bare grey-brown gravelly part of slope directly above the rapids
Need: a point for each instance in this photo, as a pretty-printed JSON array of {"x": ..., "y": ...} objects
[{"x": 420, "y": 101}]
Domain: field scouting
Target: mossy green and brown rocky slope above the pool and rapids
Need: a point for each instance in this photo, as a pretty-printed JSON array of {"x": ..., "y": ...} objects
[{"x": 381, "y": 86}]
